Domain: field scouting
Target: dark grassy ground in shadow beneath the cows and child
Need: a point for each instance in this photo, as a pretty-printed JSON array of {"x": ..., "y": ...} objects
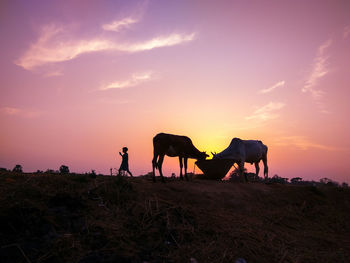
[{"x": 77, "y": 218}]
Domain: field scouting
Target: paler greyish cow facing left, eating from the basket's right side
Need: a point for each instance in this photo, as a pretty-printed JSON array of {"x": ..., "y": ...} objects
[{"x": 249, "y": 151}]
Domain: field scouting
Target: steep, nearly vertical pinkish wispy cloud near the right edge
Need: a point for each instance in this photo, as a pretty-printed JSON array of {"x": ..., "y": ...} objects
[{"x": 319, "y": 70}]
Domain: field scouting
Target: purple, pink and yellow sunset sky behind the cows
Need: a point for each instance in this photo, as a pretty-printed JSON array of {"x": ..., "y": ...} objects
[{"x": 82, "y": 79}]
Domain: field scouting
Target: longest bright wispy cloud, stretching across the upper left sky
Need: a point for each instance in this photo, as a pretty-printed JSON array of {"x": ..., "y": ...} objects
[{"x": 53, "y": 46}]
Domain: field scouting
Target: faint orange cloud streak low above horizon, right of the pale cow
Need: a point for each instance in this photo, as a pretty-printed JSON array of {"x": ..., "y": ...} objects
[{"x": 302, "y": 143}]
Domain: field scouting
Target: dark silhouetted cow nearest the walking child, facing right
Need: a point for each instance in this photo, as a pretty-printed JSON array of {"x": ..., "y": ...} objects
[{"x": 174, "y": 145}]
